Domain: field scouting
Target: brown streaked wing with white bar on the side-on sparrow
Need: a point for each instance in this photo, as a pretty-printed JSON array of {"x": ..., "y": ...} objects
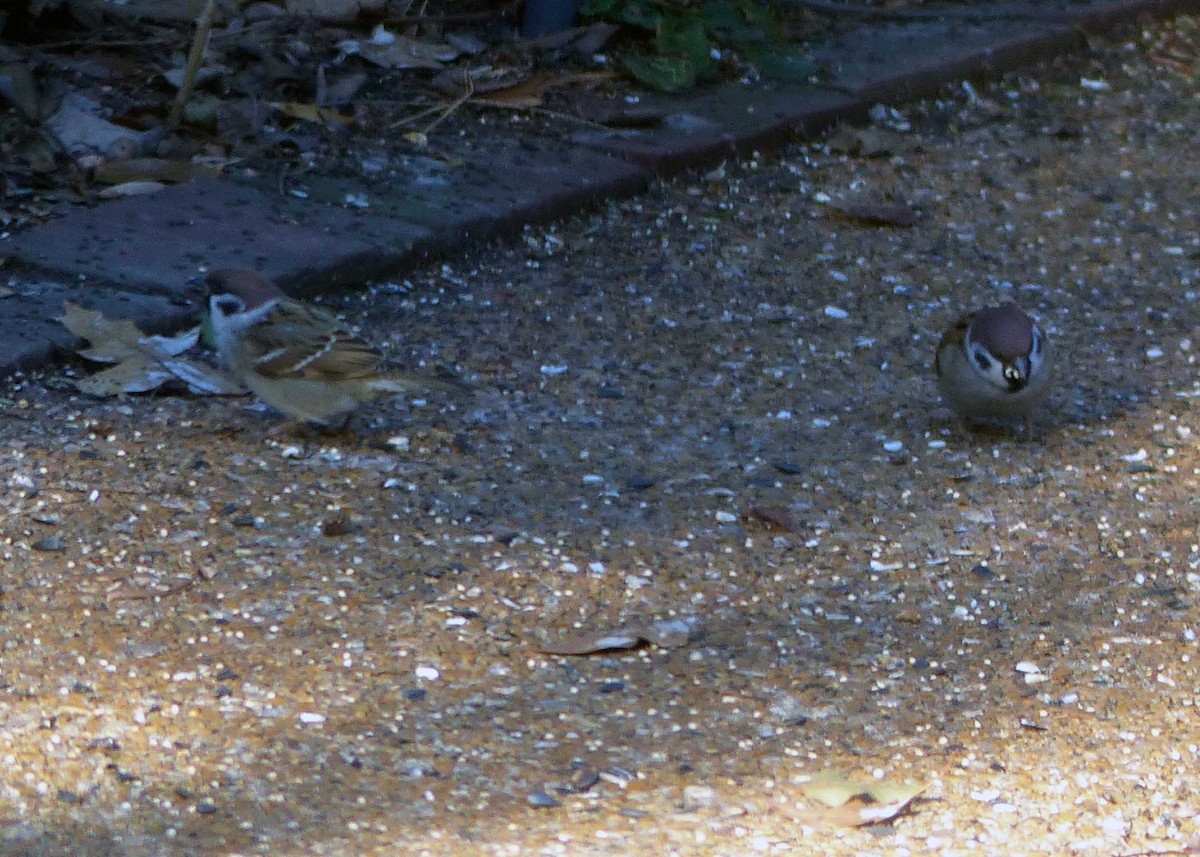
[{"x": 298, "y": 341}]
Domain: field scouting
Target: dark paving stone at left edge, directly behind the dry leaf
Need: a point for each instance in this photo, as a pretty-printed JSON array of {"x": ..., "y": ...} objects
[{"x": 31, "y": 334}]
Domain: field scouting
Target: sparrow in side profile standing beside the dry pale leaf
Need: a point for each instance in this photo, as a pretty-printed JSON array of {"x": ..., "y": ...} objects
[{"x": 296, "y": 357}]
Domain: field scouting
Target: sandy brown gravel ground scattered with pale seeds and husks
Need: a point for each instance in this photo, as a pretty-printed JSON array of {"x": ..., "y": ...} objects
[{"x": 715, "y": 407}]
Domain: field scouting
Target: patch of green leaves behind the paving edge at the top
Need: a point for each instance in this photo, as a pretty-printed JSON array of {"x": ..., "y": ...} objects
[{"x": 688, "y": 38}]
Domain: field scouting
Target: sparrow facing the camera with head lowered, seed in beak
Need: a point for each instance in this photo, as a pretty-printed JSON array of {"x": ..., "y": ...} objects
[{"x": 994, "y": 364}]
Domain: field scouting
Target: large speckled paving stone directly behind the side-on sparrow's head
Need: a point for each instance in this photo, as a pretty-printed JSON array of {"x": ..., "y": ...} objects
[{"x": 158, "y": 244}]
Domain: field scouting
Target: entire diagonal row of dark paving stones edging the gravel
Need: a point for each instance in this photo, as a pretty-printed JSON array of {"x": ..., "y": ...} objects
[{"x": 142, "y": 257}]
